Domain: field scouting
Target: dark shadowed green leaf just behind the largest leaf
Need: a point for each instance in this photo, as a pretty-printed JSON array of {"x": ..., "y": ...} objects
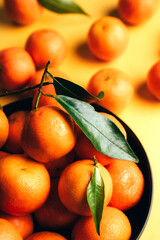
[{"x": 70, "y": 89}]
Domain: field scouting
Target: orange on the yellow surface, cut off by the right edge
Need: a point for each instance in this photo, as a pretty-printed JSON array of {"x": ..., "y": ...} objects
[{"x": 153, "y": 80}]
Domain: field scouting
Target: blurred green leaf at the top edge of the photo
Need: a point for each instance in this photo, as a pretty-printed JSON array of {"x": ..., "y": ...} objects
[{"x": 62, "y": 6}]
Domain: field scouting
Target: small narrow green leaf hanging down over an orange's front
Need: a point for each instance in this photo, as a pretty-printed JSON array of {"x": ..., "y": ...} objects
[{"x": 95, "y": 197}]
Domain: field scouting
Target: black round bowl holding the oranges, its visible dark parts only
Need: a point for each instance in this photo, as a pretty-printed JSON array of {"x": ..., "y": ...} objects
[{"x": 138, "y": 215}]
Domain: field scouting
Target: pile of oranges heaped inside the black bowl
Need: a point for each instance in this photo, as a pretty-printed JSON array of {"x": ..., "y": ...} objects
[{"x": 46, "y": 163}]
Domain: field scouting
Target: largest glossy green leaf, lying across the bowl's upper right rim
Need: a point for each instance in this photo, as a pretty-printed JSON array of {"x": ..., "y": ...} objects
[{"x": 103, "y": 133}]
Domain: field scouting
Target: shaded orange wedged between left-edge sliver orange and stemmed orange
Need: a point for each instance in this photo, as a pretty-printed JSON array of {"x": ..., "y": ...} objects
[{"x": 16, "y": 123}]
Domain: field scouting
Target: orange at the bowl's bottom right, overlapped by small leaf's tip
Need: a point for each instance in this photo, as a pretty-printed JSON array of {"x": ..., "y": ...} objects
[{"x": 114, "y": 225}]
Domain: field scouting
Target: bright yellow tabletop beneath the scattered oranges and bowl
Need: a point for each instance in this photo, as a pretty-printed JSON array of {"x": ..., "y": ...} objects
[{"x": 143, "y": 114}]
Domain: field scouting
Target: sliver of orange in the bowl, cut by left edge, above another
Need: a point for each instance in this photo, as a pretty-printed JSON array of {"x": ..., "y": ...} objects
[{"x": 4, "y": 128}]
